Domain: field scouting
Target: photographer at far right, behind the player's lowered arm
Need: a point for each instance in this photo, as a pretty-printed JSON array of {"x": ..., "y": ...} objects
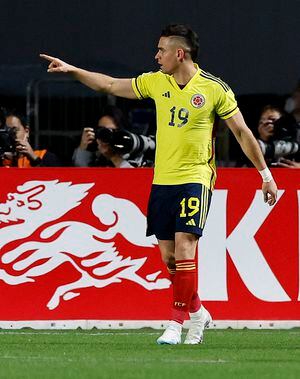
[{"x": 277, "y": 136}]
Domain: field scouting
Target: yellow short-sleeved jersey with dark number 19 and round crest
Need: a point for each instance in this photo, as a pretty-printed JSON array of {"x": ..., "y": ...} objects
[{"x": 185, "y": 124}]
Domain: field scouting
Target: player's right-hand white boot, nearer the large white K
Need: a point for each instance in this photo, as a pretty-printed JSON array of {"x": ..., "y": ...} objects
[{"x": 199, "y": 321}]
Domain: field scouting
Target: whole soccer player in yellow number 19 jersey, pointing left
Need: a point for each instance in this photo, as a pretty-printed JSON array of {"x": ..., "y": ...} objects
[{"x": 187, "y": 99}]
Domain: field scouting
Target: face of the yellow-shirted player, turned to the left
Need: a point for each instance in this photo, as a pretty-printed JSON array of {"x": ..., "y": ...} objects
[{"x": 167, "y": 55}]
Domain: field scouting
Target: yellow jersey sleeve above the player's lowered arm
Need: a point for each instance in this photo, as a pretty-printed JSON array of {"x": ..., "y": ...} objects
[{"x": 226, "y": 105}]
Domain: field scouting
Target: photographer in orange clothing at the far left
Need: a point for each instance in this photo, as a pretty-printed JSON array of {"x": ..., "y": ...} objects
[{"x": 15, "y": 148}]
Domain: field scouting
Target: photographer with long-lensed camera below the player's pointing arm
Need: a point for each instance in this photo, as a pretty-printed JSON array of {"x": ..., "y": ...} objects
[{"x": 116, "y": 147}]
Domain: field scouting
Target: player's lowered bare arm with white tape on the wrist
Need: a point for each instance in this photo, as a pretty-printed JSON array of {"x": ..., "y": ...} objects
[{"x": 252, "y": 150}]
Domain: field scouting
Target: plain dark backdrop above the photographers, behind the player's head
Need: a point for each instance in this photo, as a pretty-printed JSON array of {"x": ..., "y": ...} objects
[{"x": 253, "y": 45}]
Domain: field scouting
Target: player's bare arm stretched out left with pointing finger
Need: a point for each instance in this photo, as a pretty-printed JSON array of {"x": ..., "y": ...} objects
[{"x": 96, "y": 81}]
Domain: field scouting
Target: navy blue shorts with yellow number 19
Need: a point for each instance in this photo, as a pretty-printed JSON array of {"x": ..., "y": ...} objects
[{"x": 177, "y": 208}]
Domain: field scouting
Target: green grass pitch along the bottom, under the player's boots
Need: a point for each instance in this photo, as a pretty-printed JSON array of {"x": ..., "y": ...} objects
[{"x": 54, "y": 354}]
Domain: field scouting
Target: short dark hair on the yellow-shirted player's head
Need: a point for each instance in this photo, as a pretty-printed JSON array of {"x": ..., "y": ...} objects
[{"x": 184, "y": 31}]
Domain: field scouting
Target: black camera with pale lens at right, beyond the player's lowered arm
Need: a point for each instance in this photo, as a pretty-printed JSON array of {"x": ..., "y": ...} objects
[{"x": 284, "y": 140}]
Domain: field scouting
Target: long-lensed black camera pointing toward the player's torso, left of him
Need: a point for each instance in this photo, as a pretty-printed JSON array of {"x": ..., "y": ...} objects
[{"x": 125, "y": 142}]
